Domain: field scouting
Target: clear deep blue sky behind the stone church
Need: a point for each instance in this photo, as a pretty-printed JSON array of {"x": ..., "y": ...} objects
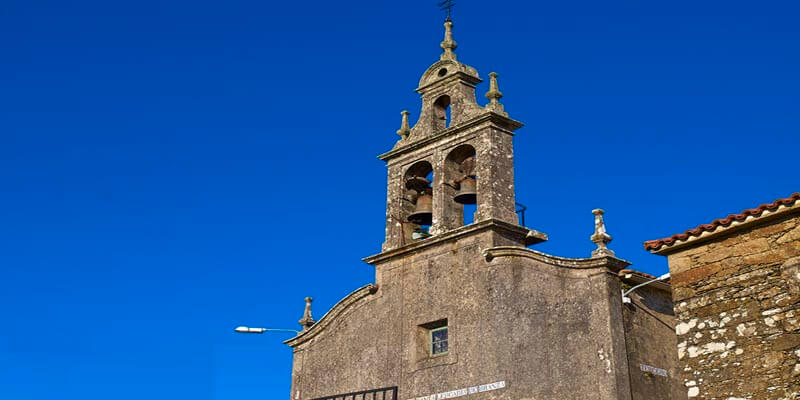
[{"x": 173, "y": 169}]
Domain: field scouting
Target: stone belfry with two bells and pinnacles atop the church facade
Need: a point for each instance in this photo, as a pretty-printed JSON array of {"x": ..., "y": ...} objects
[{"x": 457, "y": 153}]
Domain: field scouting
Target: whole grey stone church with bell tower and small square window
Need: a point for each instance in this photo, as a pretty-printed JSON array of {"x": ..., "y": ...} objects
[{"x": 460, "y": 306}]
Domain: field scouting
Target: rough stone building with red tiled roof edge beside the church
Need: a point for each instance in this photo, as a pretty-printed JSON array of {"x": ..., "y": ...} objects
[{"x": 736, "y": 287}]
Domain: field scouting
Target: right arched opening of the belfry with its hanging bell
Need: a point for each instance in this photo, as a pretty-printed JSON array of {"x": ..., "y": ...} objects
[{"x": 462, "y": 185}]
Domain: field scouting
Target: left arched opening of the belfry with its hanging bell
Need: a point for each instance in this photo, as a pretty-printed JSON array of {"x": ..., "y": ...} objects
[{"x": 418, "y": 201}]
